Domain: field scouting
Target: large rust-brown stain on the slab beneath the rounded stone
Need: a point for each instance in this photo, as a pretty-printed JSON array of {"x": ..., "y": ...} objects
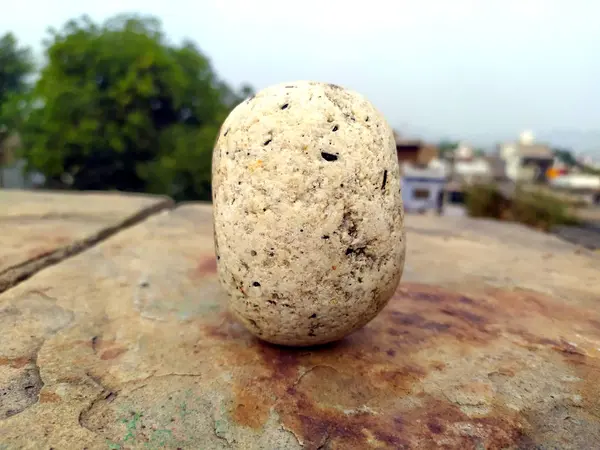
[{"x": 372, "y": 389}]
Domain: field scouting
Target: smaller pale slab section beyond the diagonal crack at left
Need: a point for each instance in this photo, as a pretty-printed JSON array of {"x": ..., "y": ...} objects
[{"x": 40, "y": 228}]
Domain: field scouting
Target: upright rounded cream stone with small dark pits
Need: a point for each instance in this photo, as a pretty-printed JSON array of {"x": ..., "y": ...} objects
[{"x": 308, "y": 216}]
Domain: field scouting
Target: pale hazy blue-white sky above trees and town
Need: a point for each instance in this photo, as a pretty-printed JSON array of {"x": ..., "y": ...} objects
[{"x": 479, "y": 70}]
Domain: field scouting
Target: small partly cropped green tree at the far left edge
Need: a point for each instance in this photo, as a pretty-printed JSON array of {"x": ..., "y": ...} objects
[{"x": 16, "y": 64}]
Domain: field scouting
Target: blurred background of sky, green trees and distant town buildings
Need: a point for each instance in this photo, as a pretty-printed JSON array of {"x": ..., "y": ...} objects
[{"x": 495, "y": 104}]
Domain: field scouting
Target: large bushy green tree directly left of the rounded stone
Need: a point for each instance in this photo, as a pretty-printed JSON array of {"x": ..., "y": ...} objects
[{"x": 122, "y": 109}]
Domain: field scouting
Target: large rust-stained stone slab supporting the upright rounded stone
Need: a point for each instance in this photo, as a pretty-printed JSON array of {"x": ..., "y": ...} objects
[{"x": 492, "y": 341}]
